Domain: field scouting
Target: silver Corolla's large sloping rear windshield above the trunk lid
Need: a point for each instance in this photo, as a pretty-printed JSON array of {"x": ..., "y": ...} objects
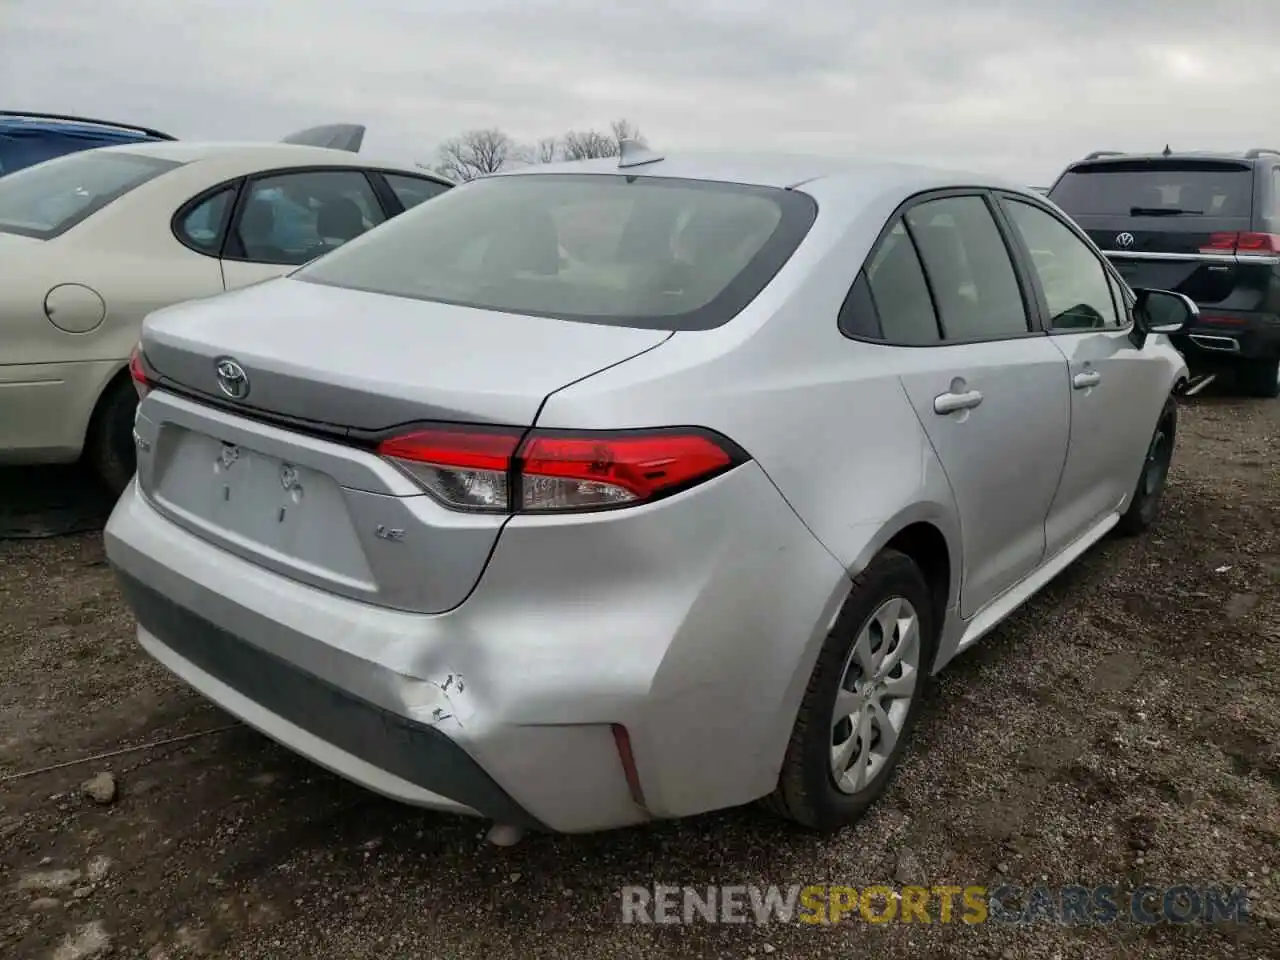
[{"x": 634, "y": 252}]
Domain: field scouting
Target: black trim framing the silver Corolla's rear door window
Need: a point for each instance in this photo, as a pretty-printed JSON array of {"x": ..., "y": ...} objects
[{"x": 1032, "y": 307}]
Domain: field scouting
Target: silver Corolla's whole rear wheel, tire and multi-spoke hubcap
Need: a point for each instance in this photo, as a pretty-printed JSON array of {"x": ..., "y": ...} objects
[{"x": 862, "y": 701}]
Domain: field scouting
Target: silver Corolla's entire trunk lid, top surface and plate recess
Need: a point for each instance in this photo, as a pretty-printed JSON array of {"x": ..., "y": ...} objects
[{"x": 318, "y": 505}]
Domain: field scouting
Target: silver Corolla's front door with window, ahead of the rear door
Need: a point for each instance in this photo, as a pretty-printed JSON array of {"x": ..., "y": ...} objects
[{"x": 1117, "y": 388}]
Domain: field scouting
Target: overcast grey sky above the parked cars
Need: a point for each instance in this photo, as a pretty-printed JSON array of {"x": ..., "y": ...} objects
[{"x": 993, "y": 85}]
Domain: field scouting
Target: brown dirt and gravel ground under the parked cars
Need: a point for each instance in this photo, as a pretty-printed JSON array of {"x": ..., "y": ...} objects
[{"x": 1122, "y": 729}]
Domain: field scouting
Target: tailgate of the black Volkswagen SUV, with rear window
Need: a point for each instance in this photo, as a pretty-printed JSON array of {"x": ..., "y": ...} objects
[{"x": 1172, "y": 223}]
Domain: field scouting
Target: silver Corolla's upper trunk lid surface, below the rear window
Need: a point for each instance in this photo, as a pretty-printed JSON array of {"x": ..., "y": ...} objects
[{"x": 351, "y": 362}]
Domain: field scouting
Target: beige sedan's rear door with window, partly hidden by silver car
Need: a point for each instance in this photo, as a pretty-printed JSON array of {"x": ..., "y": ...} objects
[{"x": 285, "y": 220}]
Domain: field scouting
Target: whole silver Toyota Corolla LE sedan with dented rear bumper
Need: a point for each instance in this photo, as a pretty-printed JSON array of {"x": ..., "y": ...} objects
[{"x": 629, "y": 490}]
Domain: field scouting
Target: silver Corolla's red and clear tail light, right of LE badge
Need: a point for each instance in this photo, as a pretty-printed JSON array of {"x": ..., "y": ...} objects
[{"x": 495, "y": 470}]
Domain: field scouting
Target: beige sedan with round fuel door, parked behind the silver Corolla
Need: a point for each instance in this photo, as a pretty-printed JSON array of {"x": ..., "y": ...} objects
[{"x": 93, "y": 243}]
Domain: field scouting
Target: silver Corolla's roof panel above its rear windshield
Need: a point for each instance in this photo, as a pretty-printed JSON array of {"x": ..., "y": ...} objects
[{"x": 783, "y": 171}]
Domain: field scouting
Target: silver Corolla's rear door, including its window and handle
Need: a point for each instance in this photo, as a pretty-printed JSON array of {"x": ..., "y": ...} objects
[{"x": 989, "y": 388}]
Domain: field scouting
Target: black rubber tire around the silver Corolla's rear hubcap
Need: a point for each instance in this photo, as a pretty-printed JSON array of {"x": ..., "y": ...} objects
[{"x": 807, "y": 790}]
